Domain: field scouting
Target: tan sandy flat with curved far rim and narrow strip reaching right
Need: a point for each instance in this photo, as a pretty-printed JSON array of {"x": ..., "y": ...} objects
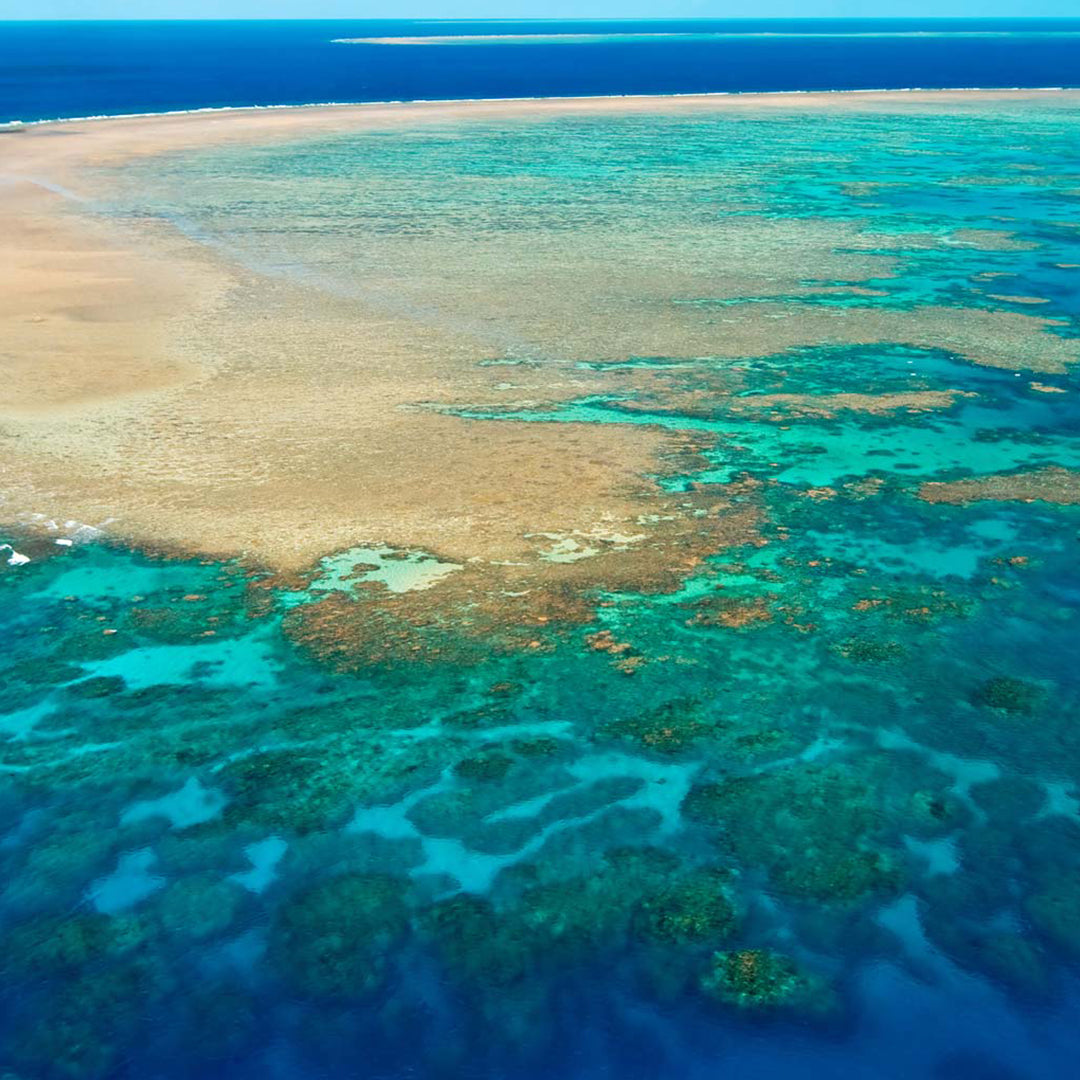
[{"x": 200, "y": 408}]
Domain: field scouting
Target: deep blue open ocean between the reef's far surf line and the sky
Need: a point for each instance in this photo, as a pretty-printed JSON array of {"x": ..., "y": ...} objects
[{"x": 70, "y": 70}]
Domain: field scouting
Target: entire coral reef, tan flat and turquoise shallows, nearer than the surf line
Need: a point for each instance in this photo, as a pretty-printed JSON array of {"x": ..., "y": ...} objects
[{"x": 528, "y": 589}]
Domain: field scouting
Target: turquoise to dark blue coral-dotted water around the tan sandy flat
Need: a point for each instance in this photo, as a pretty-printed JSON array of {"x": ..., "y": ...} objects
[{"x": 830, "y": 804}]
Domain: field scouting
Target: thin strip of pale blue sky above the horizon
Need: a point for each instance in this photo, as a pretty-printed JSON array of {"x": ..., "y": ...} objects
[{"x": 524, "y": 9}]
